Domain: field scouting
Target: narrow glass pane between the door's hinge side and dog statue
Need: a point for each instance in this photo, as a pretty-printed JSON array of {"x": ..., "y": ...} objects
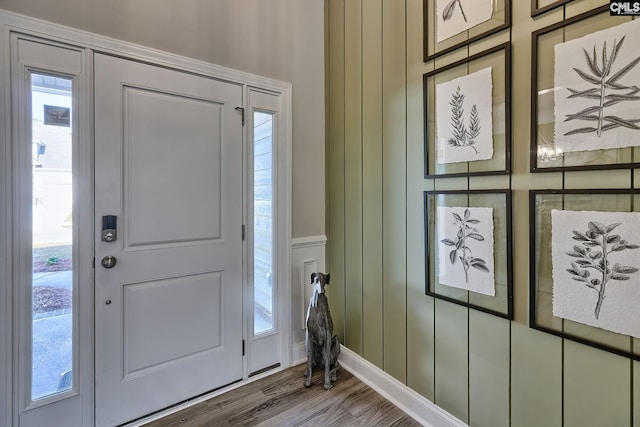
[{"x": 262, "y": 221}]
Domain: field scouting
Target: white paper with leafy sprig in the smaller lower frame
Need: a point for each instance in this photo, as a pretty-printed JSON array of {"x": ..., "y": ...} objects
[{"x": 465, "y": 248}]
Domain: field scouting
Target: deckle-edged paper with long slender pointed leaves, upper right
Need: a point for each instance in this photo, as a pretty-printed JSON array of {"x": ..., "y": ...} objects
[{"x": 597, "y": 96}]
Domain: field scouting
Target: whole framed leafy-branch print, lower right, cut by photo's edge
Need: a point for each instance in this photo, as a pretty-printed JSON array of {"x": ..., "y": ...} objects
[{"x": 585, "y": 266}]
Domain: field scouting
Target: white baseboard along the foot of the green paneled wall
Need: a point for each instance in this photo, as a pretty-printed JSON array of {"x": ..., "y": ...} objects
[{"x": 418, "y": 407}]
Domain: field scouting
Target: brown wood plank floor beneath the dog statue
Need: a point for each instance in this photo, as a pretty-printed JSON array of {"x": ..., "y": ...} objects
[{"x": 282, "y": 400}]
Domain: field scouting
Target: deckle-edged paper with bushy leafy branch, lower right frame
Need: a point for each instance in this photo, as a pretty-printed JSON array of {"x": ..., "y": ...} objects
[{"x": 595, "y": 268}]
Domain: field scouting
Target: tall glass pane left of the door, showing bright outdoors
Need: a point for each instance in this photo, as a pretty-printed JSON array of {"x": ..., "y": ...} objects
[{"x": 52, "y": 277}]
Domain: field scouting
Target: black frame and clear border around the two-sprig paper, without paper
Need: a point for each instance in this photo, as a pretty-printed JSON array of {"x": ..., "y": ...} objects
[{"x": 499, "y": 57}]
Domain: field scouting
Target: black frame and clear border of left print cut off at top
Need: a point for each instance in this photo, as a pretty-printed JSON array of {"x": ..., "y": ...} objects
[{"x": 500, "y": 20}]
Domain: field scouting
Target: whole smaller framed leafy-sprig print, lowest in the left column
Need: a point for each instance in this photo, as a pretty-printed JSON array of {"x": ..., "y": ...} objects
[{"x": 468, "y": 249}]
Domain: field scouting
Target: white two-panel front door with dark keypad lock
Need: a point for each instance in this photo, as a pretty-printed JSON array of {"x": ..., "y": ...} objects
[{"x": 168, "y": 167}]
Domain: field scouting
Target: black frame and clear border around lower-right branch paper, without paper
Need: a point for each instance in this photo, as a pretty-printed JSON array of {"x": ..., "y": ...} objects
[{"x": 541, "y": 317}]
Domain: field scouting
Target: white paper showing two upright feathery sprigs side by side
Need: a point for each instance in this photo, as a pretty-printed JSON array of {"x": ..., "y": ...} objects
[{"x": 464, "y": 118}]
